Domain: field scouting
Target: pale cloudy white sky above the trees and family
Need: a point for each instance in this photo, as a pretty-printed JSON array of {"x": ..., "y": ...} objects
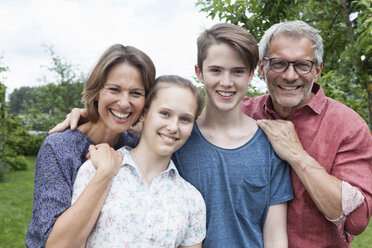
[{"x": 80, "y": 30}]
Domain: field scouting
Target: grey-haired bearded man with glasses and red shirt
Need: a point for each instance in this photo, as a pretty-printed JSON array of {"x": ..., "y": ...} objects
[{"x": 328, "y": 145}]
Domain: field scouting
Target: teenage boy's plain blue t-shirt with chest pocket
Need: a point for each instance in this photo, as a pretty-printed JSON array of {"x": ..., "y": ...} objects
[{"x": 238, "y": 186}]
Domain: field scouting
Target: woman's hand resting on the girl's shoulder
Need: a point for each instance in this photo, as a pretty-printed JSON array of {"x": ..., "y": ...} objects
[{"x": 105, "y": 159}]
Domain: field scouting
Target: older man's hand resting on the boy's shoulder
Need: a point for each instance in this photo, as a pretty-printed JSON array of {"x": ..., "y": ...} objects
[{"x": 283, "y": 137}]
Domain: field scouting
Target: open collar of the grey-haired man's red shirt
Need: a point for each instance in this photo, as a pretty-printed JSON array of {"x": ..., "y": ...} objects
[{"x": 316, "y": 103}]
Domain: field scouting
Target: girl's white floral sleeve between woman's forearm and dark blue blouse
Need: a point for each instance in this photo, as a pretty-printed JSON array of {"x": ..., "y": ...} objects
[{"x": 84, "y": 175}]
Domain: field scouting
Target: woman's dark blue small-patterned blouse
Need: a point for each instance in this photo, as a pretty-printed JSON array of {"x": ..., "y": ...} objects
[{"x": 57, "y": 163}]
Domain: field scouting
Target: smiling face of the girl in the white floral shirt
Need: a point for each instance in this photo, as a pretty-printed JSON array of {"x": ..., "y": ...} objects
[{"x": 169, "y": 120}]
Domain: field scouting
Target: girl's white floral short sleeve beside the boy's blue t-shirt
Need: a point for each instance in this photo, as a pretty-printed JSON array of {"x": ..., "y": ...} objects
[{"x": 197, "y": 227}]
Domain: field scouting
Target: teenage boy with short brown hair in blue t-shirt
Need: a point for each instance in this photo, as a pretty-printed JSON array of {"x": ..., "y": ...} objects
[{"x": 227, "y": 157}]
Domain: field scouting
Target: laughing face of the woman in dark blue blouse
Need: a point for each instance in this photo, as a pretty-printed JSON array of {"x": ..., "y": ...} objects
[{"x": 121, "y": 100}]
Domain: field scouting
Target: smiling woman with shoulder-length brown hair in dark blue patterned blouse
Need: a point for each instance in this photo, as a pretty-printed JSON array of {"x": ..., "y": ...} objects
[{"x": 114, "y": 96}]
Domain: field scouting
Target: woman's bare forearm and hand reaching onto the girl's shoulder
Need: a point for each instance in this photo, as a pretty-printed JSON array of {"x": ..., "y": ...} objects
[{"x": 72, "y": 228}]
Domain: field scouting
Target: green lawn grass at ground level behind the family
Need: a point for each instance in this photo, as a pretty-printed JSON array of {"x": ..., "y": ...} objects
[{"x": 16, "y": 194}]
